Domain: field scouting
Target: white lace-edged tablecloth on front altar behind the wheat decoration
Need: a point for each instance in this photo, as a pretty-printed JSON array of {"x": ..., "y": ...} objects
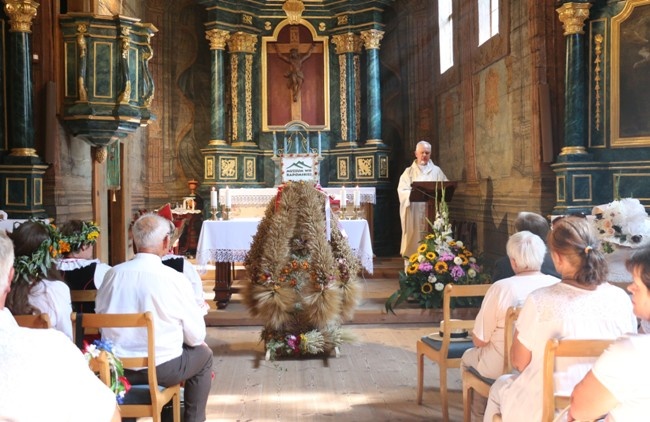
[{"x": 229, "y": 241}]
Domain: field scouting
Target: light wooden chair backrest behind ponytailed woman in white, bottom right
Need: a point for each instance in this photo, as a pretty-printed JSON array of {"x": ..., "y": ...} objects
[{"x": 556, "y": 348}]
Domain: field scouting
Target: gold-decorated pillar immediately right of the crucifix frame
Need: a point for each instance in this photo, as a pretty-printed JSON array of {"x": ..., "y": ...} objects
[{"x": 348, "y": 48}]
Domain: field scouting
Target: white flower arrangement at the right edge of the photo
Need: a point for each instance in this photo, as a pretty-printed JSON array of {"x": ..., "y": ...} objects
[{"x": 621, "y": 223}]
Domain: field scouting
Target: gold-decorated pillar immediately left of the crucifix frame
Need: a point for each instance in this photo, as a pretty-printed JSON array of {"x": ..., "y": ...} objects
[{"x": 242, "y": 48}]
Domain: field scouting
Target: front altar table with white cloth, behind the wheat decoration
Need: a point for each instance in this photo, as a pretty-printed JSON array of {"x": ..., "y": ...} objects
[{"x": 227, "y": 242}]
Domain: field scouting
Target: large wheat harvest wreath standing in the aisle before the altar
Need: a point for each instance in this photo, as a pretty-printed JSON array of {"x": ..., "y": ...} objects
[{"x": 302, "y": 283}]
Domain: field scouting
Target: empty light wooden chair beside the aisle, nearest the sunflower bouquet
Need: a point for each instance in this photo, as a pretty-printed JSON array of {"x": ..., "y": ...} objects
[{"x": 446, "y": 353}]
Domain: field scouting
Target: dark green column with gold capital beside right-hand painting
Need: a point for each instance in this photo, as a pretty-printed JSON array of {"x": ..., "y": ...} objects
[{"x": 573, "y": 16}]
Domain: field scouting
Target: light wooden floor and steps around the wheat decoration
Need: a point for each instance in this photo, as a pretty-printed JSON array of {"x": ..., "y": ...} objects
[{"x": 372, "y": 380}]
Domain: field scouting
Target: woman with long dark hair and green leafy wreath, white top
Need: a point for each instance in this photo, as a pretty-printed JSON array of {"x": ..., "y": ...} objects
[{"x": 37, "y": 286}]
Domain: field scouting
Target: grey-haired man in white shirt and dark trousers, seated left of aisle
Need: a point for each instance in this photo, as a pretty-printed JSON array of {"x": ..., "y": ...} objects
[{"x": 146, "y": 284}]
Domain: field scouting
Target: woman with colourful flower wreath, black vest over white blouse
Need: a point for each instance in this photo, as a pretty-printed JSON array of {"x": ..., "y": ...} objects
[{"x": 80, "y": 271}]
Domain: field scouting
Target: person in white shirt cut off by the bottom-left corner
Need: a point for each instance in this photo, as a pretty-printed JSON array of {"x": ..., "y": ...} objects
[{"x": 43, "y": 376}]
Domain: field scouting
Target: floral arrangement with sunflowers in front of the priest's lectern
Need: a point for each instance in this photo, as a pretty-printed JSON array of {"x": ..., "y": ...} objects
[{"x": 438, "y": 261}]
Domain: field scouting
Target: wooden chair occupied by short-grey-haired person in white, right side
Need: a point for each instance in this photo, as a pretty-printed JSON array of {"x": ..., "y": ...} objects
[{"x": 472, "y": 382}]
